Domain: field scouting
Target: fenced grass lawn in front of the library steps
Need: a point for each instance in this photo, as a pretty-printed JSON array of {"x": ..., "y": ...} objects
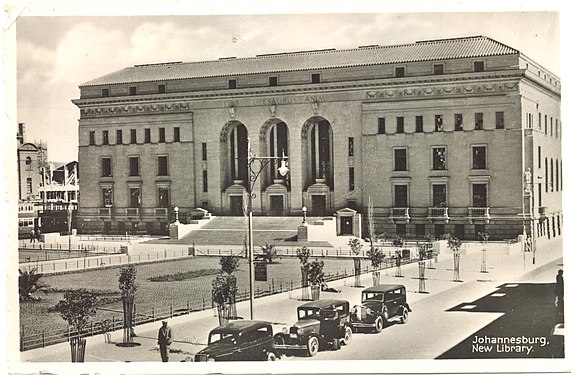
[{"x": 34, "y": 316}]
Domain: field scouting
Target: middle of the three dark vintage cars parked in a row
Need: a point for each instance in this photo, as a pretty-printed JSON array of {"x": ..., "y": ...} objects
[{"x": 320, "y": 323}]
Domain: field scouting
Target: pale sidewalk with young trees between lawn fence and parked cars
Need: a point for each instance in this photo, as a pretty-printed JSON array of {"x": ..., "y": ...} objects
[{"x": 191, "y": 331}]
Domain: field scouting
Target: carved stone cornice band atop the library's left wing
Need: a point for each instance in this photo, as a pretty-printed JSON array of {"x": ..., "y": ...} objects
[{"x": 135, "y": 109}]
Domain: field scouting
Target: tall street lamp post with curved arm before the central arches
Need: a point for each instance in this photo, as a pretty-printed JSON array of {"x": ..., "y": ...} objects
[{"x": 256, "y": 165}]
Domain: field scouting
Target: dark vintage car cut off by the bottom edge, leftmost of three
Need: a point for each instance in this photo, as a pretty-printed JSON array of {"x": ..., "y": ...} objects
[{"x": 240, "y": 340}]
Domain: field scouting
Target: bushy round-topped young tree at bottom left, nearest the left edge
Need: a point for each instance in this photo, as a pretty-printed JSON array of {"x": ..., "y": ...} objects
[{"x": 76, "y": 307}]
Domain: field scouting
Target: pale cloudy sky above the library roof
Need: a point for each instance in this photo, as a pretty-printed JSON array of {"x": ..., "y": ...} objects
[{"x": 56, "y": 54}]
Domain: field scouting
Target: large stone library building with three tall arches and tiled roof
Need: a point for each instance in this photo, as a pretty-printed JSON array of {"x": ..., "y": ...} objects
[{"x": 438, "y": 134}]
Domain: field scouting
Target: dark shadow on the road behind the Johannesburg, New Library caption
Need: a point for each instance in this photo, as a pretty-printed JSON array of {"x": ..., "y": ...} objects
[{"x": 523, "y": 331}]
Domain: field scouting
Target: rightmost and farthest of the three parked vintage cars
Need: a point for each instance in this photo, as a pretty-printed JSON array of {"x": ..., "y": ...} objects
[{"x": 380, "y": 304}]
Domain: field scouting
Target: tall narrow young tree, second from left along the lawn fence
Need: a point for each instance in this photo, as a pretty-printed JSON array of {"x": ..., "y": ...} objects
[{"x": 128, "y": 287}]
